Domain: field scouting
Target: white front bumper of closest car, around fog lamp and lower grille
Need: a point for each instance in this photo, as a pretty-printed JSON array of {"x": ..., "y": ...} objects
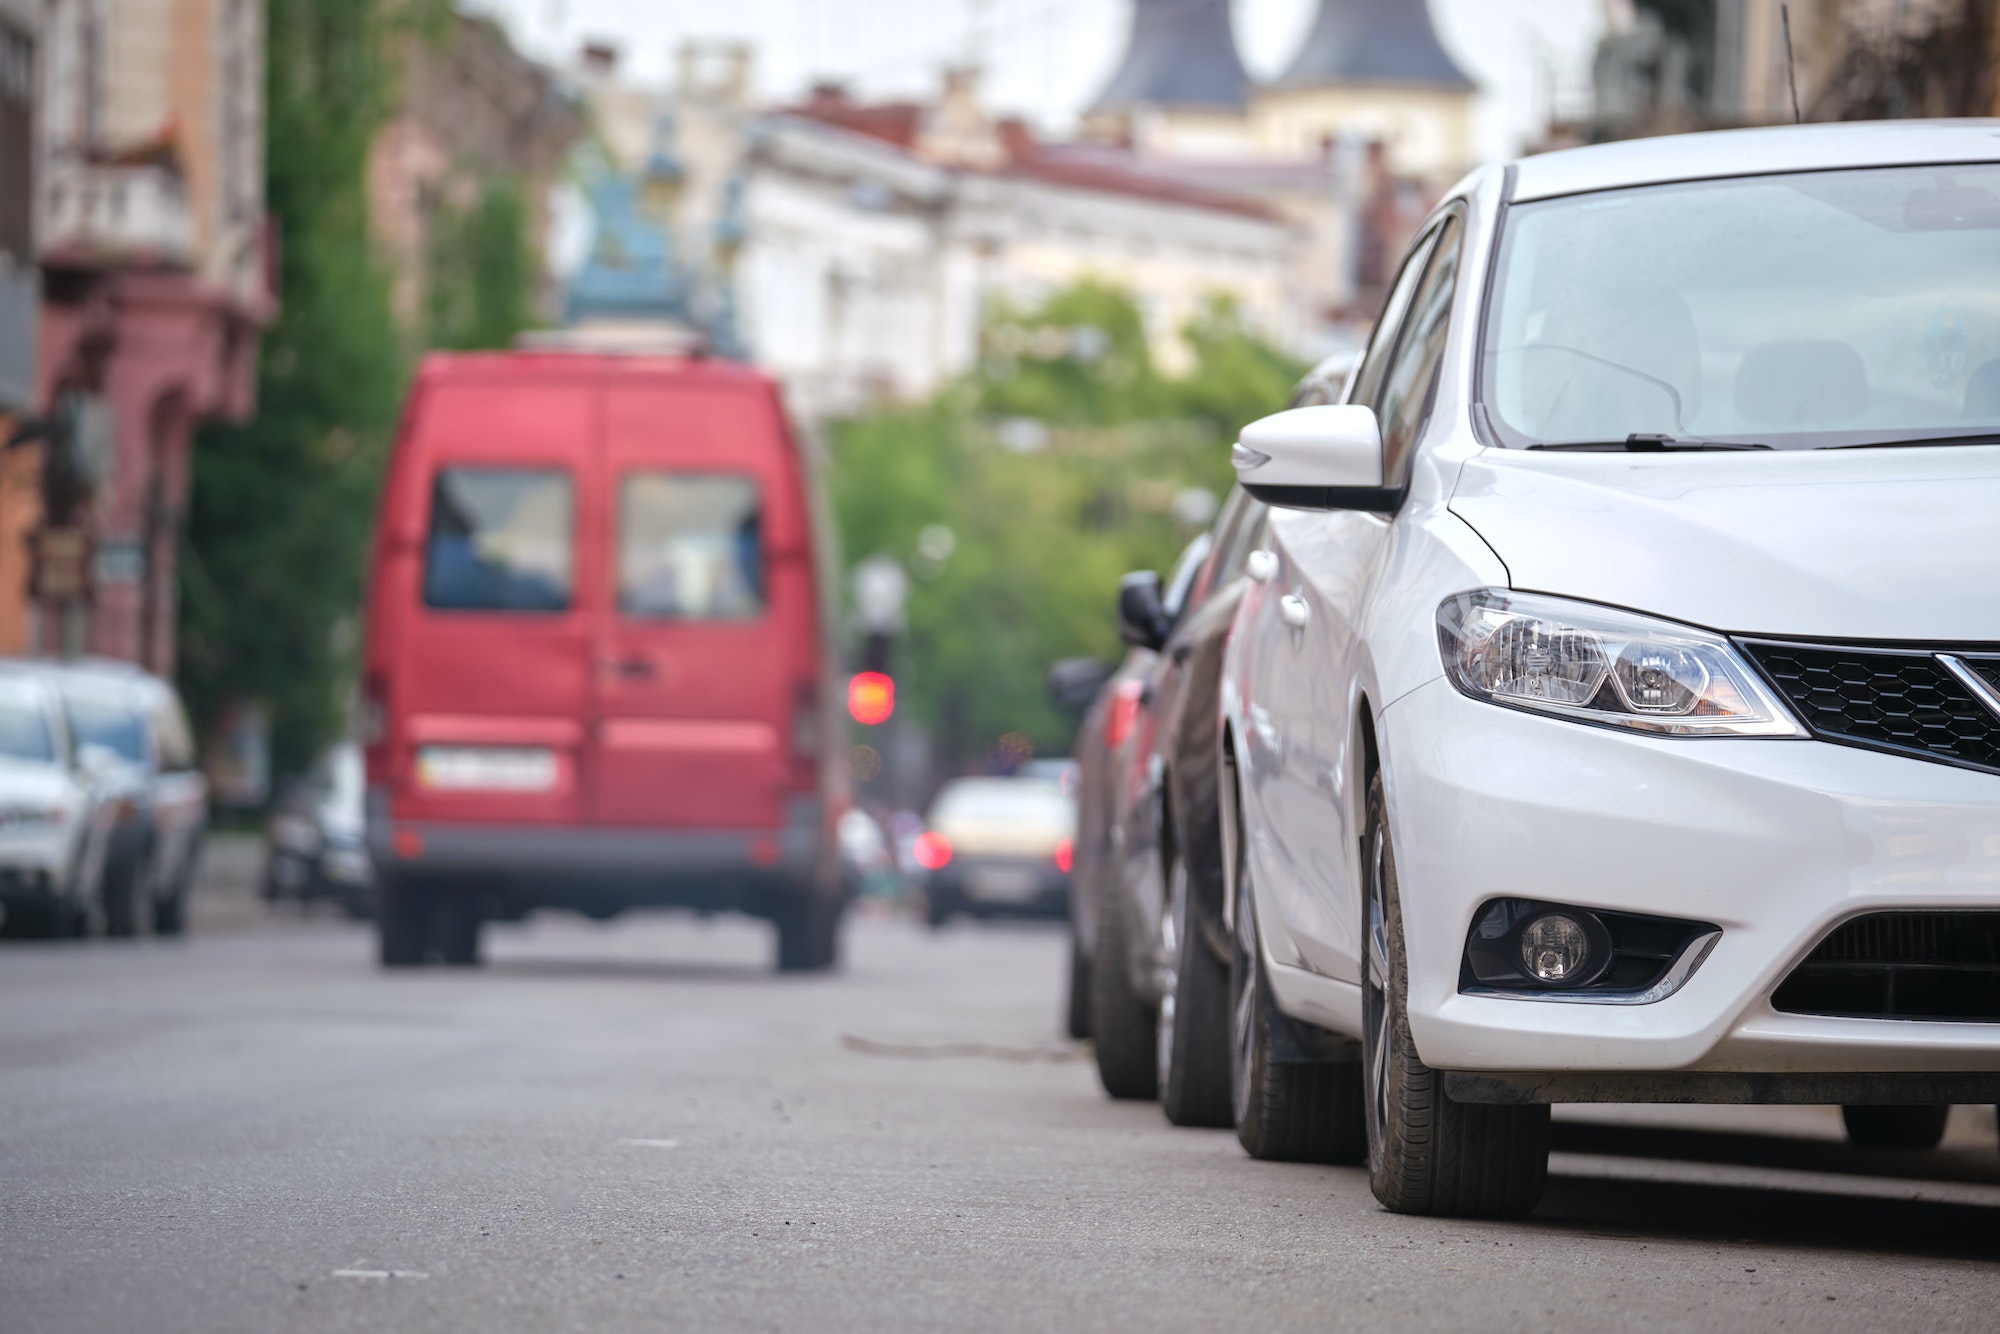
[{"x": 1773, "y": 841}]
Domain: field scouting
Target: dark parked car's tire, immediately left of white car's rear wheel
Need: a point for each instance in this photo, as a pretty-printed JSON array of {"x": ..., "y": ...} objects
[{"x": 1193, "y": 1021}]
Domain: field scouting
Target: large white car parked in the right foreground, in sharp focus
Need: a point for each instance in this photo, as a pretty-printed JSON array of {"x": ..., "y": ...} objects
[{"x": 1617, "y": 713}]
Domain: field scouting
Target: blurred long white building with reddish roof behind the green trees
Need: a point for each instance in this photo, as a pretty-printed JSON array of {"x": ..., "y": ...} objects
[{"x": 869, "y": 273}]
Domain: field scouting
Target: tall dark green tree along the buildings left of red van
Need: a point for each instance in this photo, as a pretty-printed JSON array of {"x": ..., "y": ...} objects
[{"x": 283, "y": 505}]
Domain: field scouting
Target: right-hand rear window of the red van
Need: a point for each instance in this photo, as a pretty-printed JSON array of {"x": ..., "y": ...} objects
[{"x": 689, "y": 547}]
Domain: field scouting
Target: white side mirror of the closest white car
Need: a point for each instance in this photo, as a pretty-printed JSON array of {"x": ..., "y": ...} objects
[{"x": 1317, "y": 459}]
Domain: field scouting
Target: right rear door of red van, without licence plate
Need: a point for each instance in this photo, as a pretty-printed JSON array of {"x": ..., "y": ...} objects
[{"x": 697, "y": 641}]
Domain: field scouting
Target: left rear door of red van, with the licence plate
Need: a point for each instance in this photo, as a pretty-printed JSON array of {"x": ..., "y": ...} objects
[{"x": 493, "y": 681}]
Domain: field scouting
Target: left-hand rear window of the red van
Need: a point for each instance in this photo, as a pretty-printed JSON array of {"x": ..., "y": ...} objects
[{"x": 499, "y": 541}]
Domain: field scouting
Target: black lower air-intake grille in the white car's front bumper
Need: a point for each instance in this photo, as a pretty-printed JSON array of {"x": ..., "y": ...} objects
[{"x": 1903, "y": 967}]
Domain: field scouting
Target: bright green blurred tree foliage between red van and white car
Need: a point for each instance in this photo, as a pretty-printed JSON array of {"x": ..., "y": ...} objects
[{"x": 1047, "y": 519}]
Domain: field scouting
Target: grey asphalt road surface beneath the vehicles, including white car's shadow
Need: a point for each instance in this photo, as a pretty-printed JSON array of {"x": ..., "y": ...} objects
[{"x": 637, "y": 1127}]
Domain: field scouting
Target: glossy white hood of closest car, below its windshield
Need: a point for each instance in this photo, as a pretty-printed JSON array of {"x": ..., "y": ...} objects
[{"x": 1873, "y": 545}]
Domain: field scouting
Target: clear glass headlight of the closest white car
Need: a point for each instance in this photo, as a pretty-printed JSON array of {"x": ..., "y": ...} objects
[{"x": 1599, "y": 665}]
